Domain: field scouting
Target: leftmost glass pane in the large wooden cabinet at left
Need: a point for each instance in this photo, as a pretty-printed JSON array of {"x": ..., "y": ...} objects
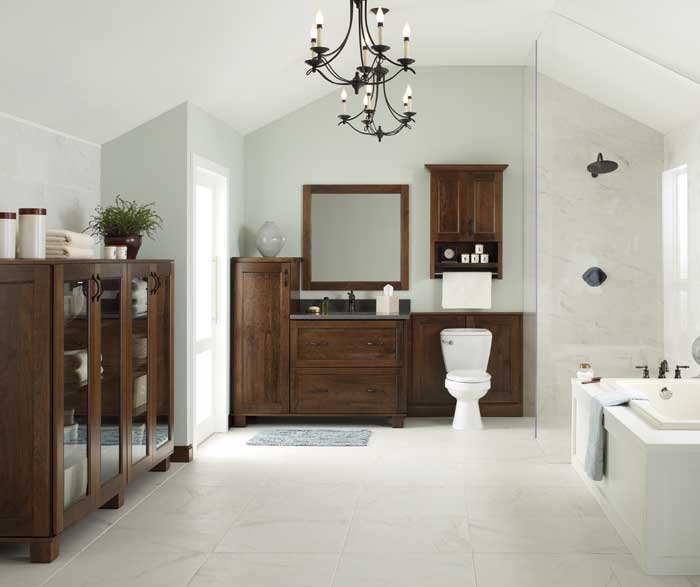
[{"x": 76, "y": 329}]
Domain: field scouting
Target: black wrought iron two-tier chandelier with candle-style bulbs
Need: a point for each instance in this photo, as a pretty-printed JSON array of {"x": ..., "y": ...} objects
[{"x": 370, "y": 77}]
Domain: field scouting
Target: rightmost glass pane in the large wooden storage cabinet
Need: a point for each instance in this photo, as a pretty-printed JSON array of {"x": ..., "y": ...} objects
[{"x": 163, "y": 431}]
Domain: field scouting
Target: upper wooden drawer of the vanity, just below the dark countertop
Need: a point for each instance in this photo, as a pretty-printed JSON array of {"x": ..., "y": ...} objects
[{"x": 370, "y": 343}]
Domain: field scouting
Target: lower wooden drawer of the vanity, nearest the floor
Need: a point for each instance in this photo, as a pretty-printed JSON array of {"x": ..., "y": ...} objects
[{"x": 345, "y": 391}]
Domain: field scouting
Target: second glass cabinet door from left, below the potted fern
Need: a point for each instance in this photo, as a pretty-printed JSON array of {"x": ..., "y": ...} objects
[{"x": 113, "y": 301}]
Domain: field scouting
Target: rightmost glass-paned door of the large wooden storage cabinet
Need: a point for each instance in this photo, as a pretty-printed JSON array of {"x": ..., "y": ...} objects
[{"x": 163, "y": 396}]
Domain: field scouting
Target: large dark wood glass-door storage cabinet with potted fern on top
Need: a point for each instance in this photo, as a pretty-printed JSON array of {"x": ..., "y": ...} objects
[{"x": 68, "y": 391}]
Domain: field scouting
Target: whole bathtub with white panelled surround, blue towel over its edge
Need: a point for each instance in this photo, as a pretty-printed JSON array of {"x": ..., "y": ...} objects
[{"x": 651, "y": 483}]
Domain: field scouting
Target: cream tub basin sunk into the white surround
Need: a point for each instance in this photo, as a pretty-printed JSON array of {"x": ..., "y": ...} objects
[{"x": 674, "y": 404}]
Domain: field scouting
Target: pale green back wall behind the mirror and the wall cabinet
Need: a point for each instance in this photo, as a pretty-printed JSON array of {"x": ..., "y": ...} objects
[{"x": 465, "y": 115}]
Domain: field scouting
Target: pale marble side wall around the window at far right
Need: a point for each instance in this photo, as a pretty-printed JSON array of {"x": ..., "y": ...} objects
[{"x": 682, "y": 296}]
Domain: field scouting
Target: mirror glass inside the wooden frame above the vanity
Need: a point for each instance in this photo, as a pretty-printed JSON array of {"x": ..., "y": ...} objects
[{"x": 356, "y": 237}]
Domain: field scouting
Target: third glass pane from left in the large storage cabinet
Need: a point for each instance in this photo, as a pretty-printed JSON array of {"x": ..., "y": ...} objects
[{"x": 139, "y": 371}]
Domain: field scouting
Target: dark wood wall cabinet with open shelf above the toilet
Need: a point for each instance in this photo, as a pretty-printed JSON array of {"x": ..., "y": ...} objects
[{"x": 466, "y": 207}]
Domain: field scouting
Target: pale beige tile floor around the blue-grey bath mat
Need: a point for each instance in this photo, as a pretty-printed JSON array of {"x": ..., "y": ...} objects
[{"x": 420, "y": 507}]
